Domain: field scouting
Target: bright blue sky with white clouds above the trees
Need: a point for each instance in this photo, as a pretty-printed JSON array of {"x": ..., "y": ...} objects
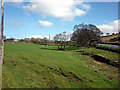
[{"x": 51, "y": 17}]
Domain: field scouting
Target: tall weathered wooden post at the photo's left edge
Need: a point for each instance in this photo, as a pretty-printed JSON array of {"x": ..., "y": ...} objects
[{"x": 2, "y": 28}]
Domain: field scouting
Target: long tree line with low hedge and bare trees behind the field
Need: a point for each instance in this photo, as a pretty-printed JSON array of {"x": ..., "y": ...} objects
[{"x": 83, "y": 35}]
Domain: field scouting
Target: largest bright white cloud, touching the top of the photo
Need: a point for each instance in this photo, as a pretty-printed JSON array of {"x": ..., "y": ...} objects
[{"x": 65, "y": 9}]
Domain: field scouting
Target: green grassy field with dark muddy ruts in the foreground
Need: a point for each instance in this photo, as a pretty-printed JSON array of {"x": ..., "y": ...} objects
[{"x": 37, "y": 66}]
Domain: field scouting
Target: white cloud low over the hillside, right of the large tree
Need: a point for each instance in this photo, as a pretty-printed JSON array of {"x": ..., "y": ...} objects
[{"x": 112, "y": 27}]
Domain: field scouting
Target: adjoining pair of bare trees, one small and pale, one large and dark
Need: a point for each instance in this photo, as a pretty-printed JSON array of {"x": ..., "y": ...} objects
[{"x": 83, "y": 35}]
